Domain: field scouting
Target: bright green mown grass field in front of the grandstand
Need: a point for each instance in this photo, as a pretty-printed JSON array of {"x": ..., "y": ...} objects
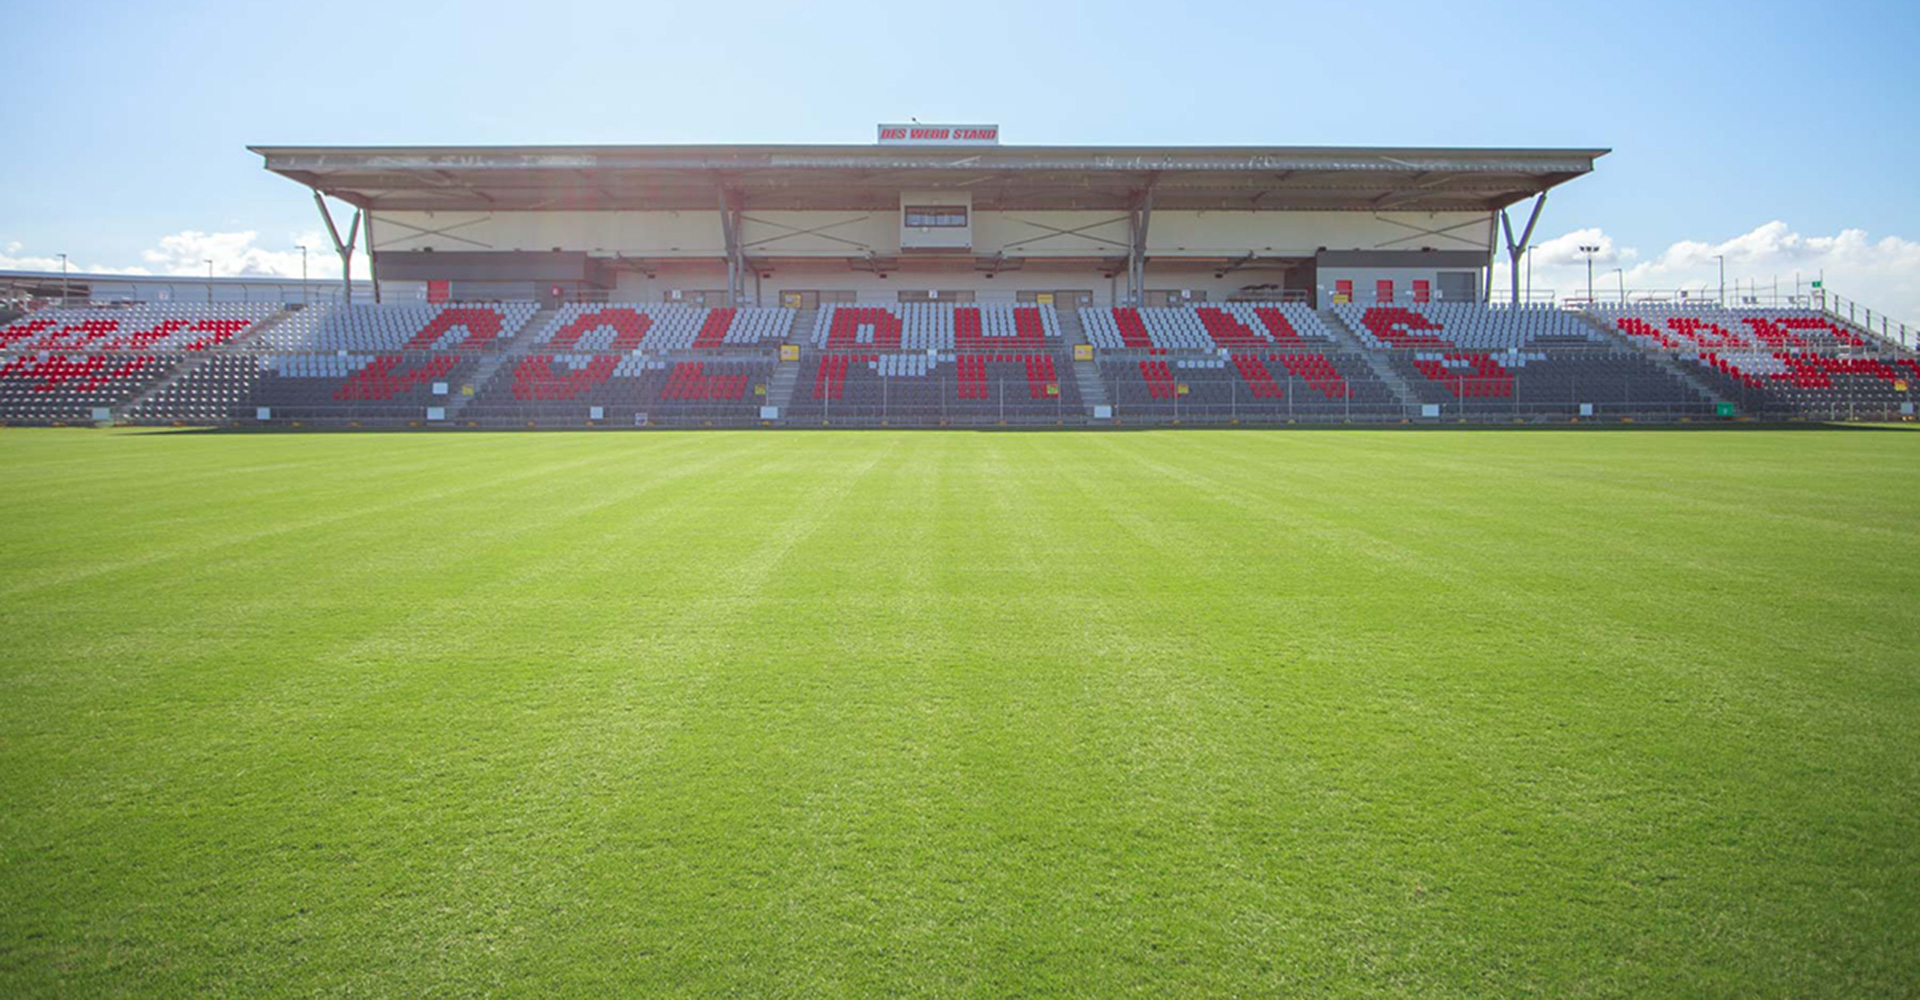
[{"x": 961, "y": 715}]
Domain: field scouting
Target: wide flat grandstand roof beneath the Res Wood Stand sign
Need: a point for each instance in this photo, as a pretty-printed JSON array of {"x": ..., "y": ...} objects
[{"x": 873, "y": 178}]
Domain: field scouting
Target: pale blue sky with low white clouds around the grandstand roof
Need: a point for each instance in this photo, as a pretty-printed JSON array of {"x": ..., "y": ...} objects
[{"x": 1725, "y": 118}]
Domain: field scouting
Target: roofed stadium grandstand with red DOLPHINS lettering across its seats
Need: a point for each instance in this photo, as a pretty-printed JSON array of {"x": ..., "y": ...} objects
[{"x": 926, "y": 283}]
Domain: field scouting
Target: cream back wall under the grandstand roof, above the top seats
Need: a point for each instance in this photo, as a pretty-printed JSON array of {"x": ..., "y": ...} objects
[{"x": 813, "y": 250}]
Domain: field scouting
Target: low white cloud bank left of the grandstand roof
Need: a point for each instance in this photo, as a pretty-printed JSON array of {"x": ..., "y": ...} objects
[{"x": 187, "y": 254}]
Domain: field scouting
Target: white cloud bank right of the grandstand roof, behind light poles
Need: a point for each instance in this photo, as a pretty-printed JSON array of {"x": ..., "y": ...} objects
[{"x": 1879, "y": 274}]
